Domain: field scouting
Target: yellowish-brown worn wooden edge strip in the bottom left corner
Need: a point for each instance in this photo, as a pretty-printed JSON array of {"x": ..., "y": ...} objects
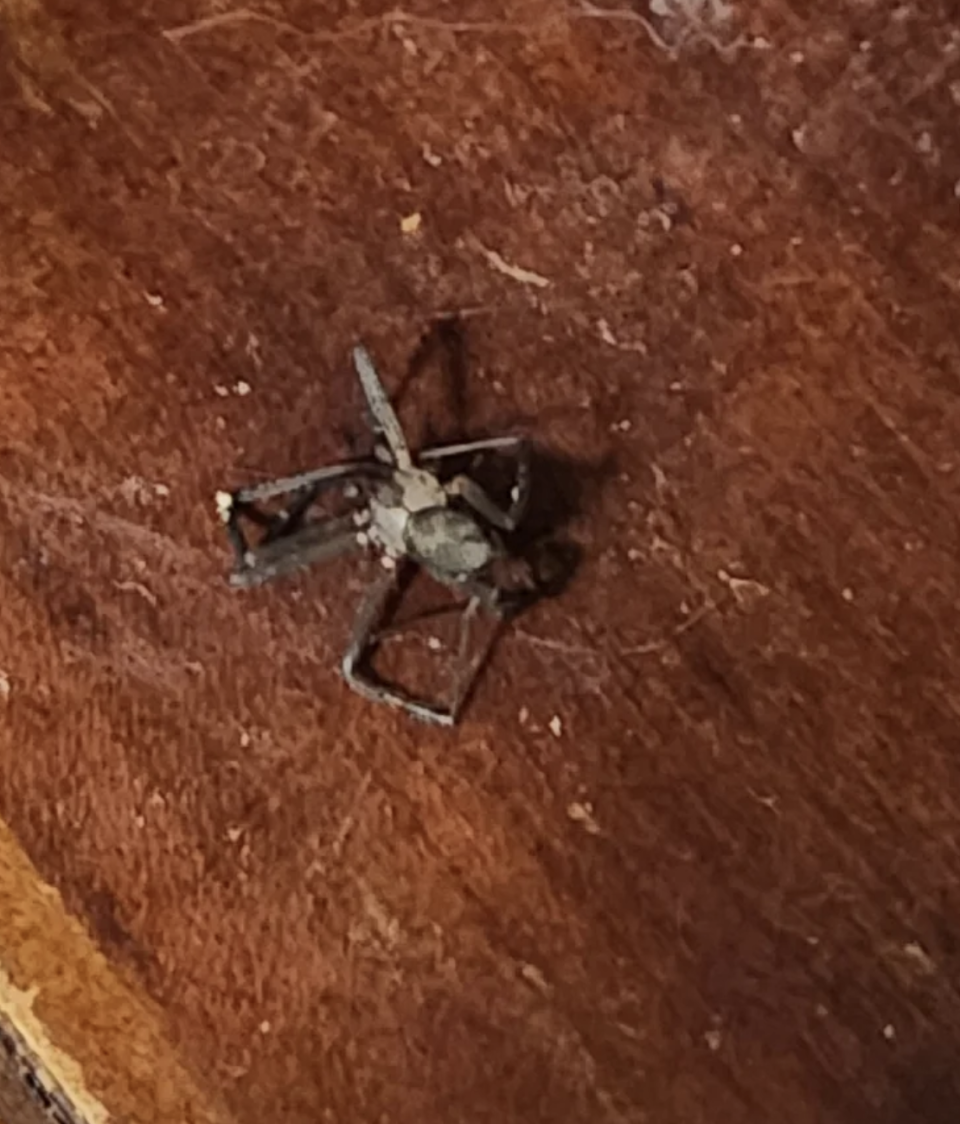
[{"x": 95, "y": 1044}]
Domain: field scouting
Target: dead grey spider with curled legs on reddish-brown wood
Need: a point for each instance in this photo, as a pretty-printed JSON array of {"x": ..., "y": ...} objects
[{"x": 411, "y": 512}]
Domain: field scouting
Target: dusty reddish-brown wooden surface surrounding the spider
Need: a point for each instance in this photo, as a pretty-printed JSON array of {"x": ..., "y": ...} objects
[{"x": 728, "y": 891}]
